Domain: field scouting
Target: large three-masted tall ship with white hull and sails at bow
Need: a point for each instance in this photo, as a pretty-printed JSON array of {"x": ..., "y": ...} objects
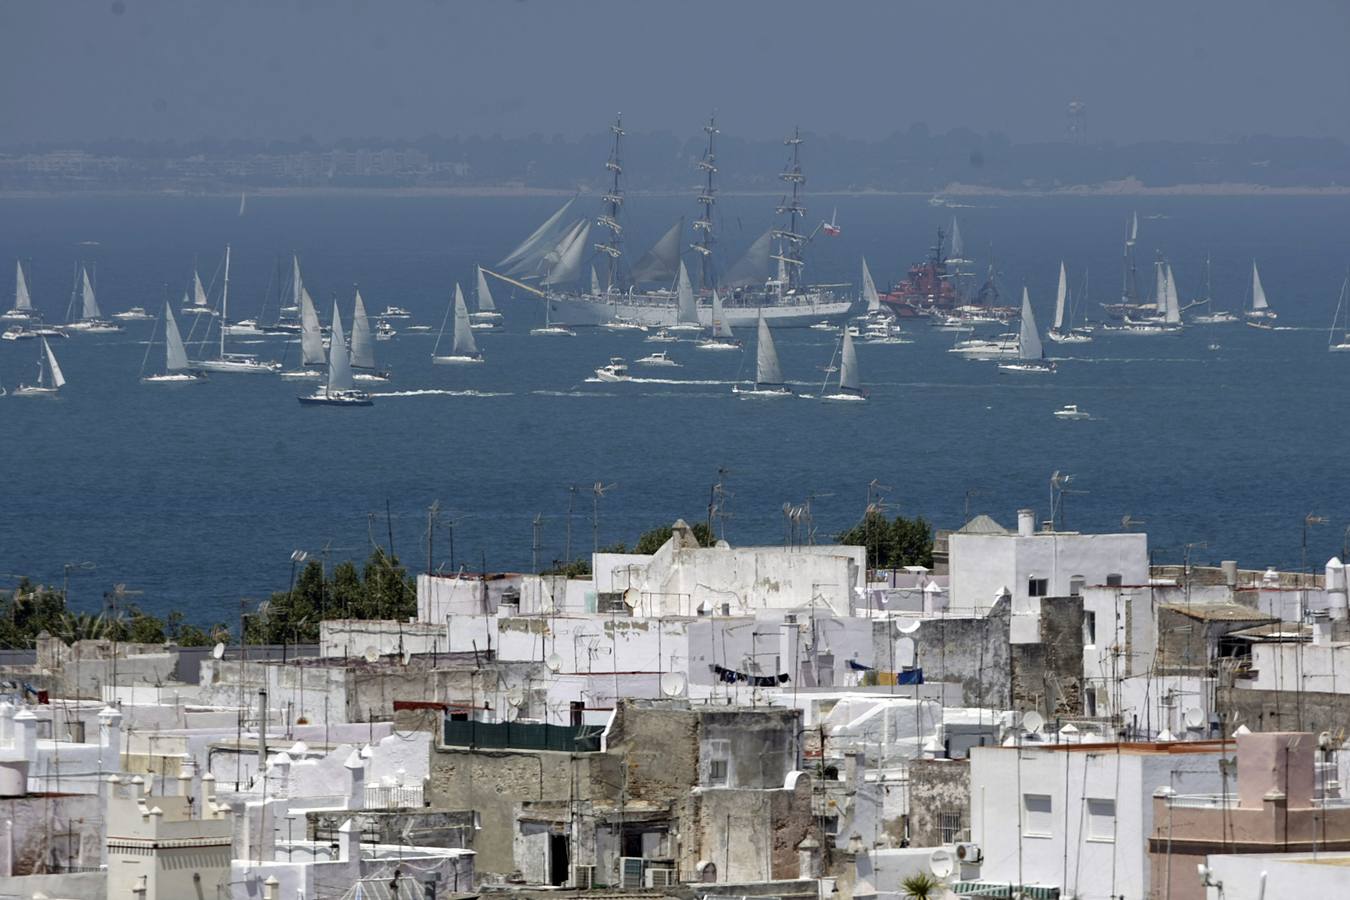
[{"x": 769, "y": 280}]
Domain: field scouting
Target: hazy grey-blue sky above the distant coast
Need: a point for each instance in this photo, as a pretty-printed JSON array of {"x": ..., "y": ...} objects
[{"x": 1148, "y": 69}]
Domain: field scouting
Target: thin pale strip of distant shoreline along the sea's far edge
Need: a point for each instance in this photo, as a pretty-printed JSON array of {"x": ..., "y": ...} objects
[{"x": 956, "y": 191}]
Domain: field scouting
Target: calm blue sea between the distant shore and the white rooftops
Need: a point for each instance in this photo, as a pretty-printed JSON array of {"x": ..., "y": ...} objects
[{"x": 198, "y": 496}]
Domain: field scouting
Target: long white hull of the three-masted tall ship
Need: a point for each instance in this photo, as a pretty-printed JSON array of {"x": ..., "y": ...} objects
[{"x": 659, "y": 311}]
